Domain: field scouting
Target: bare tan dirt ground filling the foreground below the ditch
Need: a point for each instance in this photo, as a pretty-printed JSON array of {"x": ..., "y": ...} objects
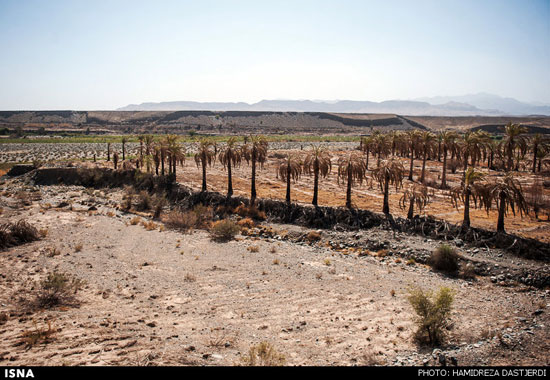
[{"x": 160, "y": 297}]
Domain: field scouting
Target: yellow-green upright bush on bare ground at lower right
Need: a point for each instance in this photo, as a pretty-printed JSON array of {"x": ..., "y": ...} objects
[{"x": 433, "y": 313}]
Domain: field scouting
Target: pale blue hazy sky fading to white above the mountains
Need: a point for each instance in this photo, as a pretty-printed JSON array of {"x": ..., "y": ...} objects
[{"x": 101, "y": 55}]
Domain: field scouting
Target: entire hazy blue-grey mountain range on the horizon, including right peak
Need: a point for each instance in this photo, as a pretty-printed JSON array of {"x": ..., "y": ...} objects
[{"x": 481, "y": 104}]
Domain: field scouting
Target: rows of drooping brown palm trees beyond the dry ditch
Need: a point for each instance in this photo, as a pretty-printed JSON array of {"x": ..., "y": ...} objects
[{"x": 470, "y": 149}]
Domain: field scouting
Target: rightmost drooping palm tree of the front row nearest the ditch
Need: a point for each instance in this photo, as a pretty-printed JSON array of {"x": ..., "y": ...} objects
[{"x": 508, "y": 194}]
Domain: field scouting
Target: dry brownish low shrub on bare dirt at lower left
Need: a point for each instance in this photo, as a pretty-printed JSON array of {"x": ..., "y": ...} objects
[{"x": 58, "y": 289}]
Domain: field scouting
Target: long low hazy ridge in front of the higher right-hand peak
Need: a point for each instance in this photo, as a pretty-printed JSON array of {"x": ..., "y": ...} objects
[{"x": 401, "y": 107}]
